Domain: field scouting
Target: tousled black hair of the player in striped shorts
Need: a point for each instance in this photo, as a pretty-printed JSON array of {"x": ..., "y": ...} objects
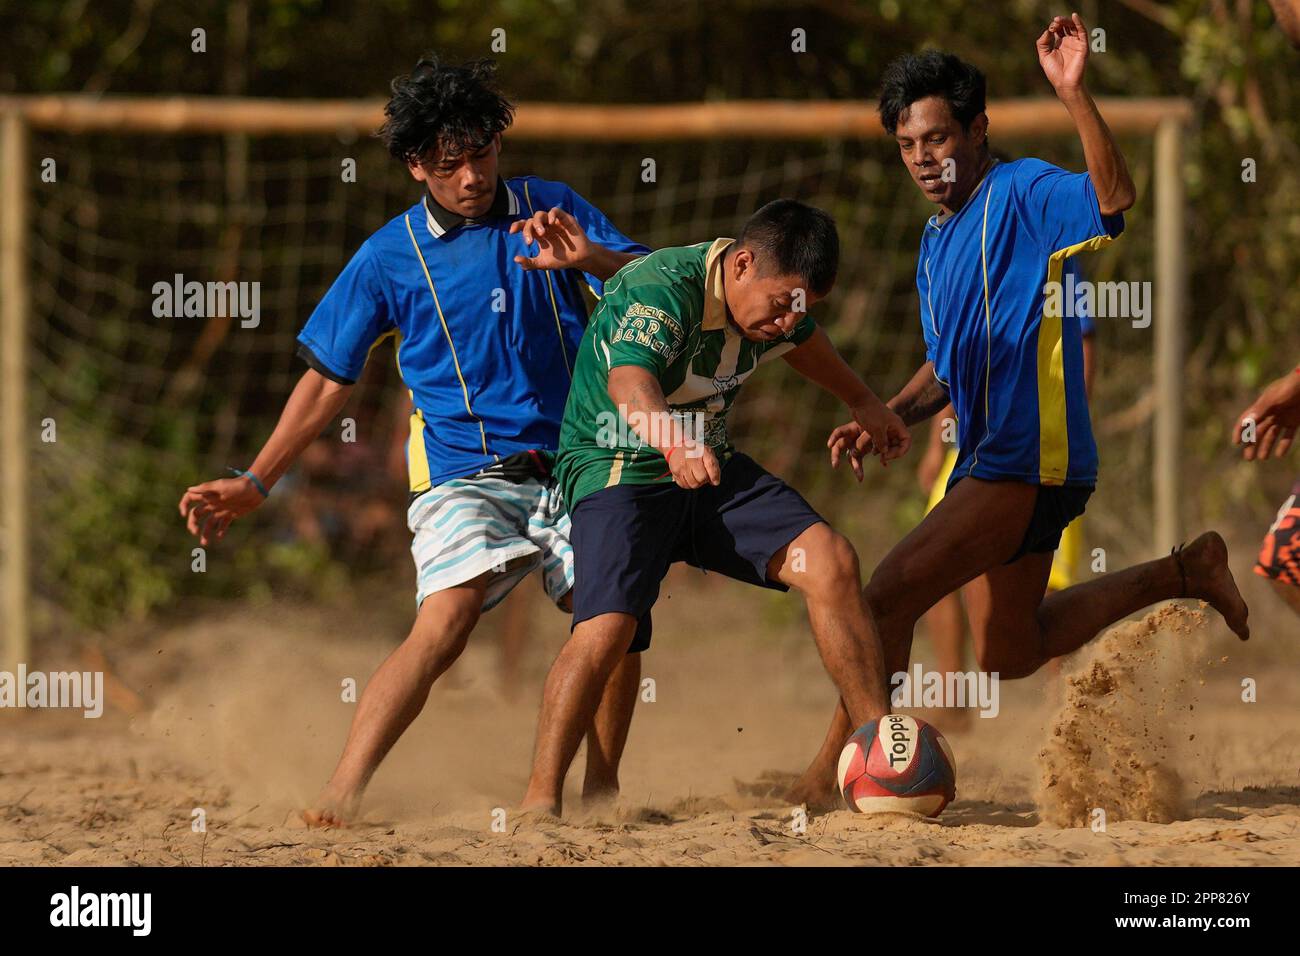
[{"x": 454, "y": 107}]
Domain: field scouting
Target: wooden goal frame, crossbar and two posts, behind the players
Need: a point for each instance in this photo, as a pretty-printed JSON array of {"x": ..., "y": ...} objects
[{"x": 1163, "y": 122}]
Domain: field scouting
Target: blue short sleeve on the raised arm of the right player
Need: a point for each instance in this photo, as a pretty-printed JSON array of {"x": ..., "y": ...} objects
[{"x": 1060, "y": 209}]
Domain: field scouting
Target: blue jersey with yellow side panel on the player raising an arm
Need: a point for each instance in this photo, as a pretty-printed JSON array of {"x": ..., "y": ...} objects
[{"x": 1012, "y": 364}]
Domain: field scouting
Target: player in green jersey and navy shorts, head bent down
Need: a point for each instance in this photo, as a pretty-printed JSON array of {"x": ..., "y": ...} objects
[{"x": 674, "y": 339}]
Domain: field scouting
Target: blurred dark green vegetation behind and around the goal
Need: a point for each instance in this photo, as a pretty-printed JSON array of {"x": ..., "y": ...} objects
[{"x": 97, "y": 565}]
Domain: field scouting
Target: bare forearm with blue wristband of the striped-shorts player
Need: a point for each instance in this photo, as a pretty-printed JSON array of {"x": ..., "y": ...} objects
[{"x": 211, "y": 507}]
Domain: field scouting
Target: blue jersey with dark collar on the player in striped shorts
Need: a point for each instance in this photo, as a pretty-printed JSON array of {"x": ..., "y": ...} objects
[{"x": 484, "y": 347}]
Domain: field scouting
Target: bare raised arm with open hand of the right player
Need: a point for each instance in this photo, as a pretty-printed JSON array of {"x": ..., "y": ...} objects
[{"x": 1064, "y": 55}]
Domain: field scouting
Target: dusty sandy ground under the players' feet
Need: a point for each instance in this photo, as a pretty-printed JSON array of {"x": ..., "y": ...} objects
[{"x": 245, "y": 721}]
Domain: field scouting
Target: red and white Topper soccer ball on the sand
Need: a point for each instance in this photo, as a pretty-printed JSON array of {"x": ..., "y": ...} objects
[{"x": 898, "y": 764}]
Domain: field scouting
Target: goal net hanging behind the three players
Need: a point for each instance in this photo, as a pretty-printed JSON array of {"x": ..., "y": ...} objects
[{"x": 135, "y": 405}]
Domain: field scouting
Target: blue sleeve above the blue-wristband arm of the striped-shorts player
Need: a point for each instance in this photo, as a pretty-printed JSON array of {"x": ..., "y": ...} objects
[{"x": 348, "y": 323}]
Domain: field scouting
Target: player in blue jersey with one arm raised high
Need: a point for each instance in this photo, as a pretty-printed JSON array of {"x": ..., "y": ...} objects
[{"x": 1000, "y": 351}]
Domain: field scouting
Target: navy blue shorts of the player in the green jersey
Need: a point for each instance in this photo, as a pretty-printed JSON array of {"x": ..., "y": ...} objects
[{"x": 625, "y": 538}]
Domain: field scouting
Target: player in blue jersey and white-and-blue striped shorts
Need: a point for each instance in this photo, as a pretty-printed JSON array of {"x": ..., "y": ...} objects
[{"x": 480, "y": 285}]
